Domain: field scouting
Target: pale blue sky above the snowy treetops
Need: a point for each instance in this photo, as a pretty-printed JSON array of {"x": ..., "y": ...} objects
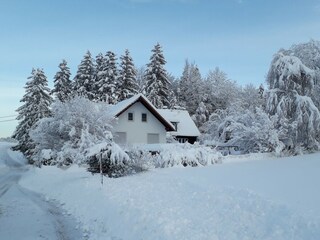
[{"x": 238, "y": 36}]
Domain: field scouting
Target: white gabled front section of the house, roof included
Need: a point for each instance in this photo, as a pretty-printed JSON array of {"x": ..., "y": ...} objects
[{"x": 139, "y": 122}]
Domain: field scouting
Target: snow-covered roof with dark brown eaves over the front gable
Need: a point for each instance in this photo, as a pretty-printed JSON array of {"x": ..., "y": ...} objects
[{"x": 122, "y": 106}]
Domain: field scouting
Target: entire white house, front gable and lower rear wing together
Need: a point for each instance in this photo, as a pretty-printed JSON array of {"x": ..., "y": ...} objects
[{"x": 140, "y": 122}]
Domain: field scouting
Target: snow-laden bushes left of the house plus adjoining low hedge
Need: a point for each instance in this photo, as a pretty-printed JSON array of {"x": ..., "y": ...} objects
[{"x": 80, "y": 132}]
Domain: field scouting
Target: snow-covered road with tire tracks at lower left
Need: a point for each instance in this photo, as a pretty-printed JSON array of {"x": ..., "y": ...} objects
[{"x": 25, "y": 214}]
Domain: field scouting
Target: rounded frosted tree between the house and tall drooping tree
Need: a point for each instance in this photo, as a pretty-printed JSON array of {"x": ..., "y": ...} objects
[{"x": 251, "y": 131}]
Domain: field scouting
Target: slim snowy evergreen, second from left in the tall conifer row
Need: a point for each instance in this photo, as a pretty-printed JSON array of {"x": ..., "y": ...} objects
[{"x": 62, "y": 83}]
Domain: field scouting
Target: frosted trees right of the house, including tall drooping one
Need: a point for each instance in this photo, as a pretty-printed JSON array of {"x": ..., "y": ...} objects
[{"x": 287, "y": 120}]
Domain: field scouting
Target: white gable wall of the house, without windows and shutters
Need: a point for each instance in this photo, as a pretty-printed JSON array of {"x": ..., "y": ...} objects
[{"x": 136, "y": 130}]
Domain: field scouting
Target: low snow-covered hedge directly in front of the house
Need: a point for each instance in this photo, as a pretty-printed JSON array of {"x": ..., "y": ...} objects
[{"x": 169, "y": 155}]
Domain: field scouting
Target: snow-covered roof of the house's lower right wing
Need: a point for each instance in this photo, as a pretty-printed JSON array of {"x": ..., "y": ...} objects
[{"x": 185, "y": 127}]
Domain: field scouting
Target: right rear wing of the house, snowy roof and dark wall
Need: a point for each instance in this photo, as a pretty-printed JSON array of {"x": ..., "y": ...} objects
[{"x": 185, "y": 128}]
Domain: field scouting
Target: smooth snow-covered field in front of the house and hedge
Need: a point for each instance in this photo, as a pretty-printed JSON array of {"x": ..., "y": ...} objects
[{"x": 246, "y": 197}]
